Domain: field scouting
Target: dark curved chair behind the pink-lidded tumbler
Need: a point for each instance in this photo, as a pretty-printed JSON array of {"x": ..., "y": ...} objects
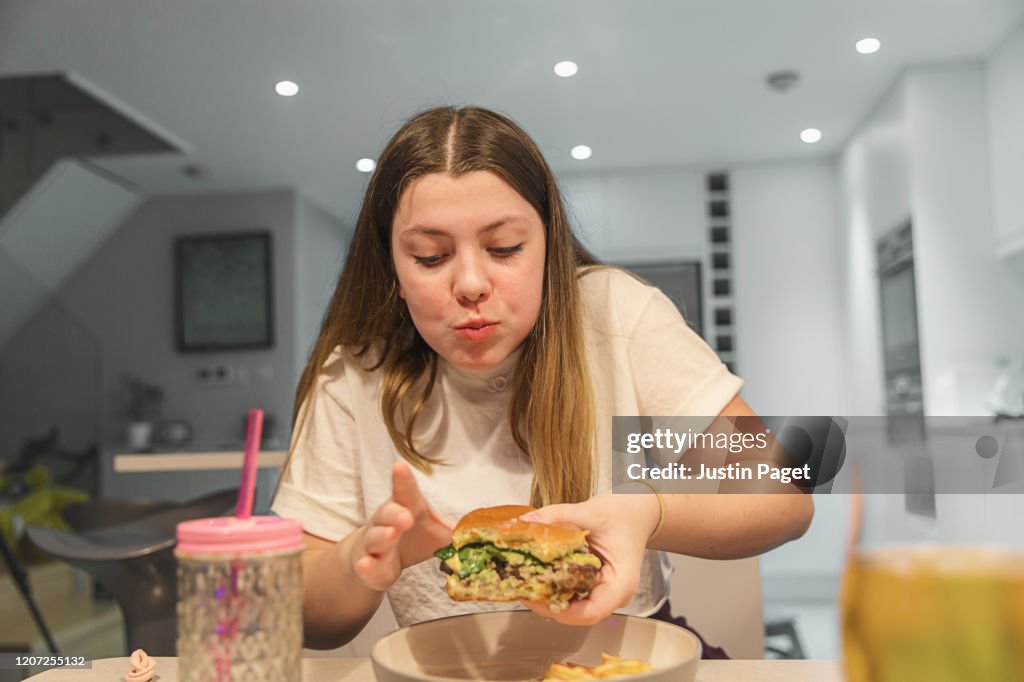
[{"x": 134, "y": 560}]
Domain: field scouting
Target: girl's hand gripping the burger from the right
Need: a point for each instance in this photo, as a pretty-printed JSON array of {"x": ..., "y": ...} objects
[{"x": 620, "y": 527}]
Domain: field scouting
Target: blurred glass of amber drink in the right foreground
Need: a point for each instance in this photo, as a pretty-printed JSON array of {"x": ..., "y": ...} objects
[{"x": 935, "y": 596}]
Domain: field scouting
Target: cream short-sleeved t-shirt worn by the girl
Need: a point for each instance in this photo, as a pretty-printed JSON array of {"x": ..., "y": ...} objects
[{"x": 644, "y": 361}]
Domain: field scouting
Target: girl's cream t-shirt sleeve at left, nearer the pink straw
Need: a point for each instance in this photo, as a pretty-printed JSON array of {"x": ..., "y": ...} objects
[{"x": 322, "y": 486}]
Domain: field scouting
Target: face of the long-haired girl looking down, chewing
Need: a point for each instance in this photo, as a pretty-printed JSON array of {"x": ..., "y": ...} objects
[{"x": 470, "y": 255}]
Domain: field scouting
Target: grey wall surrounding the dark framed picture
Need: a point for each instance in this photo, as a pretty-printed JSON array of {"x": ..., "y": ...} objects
[{"x": 124, "y": 296}]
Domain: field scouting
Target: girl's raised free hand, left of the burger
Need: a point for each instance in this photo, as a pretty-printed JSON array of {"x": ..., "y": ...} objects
[{"x": 402, "y": 533}]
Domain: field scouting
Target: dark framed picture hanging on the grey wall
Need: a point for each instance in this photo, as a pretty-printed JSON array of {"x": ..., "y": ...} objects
[{"x": 224, "y": 292}]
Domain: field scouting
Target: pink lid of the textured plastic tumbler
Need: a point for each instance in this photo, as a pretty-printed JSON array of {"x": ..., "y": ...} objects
[{"x": 228, "y": 535}]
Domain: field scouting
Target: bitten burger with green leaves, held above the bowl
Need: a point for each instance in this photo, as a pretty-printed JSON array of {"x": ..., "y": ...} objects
[{"x": 494, "y": 557}]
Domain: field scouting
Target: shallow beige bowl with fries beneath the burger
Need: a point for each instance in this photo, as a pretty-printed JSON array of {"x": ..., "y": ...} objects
[{"x": 521, "y": 646}]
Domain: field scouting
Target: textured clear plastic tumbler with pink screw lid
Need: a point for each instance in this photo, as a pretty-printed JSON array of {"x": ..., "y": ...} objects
[{"x": 240, "y": 600}]
